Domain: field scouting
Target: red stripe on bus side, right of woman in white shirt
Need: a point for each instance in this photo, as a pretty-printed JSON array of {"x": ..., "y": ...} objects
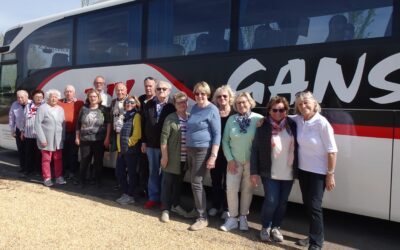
[{"x": 367, "y": 131}]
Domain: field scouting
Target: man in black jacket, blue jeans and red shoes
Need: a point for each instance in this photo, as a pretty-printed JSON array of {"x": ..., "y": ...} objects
[{"x": 154, "y": 113}]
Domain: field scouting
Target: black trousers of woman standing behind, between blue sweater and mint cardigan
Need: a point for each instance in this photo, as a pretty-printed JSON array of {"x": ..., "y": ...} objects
[{"x": 218, "y": 181}]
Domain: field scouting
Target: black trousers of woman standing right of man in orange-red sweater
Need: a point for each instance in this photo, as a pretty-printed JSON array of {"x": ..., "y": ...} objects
[{"x": 89, "y": 150}]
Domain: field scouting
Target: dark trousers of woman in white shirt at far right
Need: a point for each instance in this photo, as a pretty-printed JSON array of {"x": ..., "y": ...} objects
[{"x": 312, "y": 187}]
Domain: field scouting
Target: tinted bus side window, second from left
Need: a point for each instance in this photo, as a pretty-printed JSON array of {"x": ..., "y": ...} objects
[{"x": 110, "y": 36}]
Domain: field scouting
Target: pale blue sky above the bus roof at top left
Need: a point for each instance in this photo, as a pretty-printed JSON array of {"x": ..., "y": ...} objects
[{"x": 14, "y": 12}]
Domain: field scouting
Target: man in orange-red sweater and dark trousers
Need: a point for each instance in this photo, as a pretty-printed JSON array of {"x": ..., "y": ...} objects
[{"x": 71, "y": 107}]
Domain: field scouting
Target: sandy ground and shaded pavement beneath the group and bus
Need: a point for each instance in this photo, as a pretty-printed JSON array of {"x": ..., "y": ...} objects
[{"x": 33, "y": 216}]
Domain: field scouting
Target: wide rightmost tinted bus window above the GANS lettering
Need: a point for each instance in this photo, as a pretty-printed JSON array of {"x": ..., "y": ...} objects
[{"x": 265, "y": 24}]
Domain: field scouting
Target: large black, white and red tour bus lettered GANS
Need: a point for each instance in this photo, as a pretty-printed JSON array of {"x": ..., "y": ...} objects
[{"x": 347, "y": 52}]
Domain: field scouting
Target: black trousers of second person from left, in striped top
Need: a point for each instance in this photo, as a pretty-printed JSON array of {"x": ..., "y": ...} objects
[{"x": 33, "y": 156}]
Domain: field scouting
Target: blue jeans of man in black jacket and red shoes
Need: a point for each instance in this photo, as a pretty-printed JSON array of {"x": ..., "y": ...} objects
[{"x": 154, "y": 184}]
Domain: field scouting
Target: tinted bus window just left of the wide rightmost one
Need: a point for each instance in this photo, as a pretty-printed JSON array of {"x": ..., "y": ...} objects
[{"x": 188, "y": 27}]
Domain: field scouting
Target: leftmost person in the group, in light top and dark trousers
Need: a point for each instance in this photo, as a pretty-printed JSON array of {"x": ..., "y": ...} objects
[{"x": 16, "y": 120}]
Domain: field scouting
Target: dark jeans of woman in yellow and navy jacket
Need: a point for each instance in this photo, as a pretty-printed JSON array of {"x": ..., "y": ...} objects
[{"x": 126, "y": 169}]
